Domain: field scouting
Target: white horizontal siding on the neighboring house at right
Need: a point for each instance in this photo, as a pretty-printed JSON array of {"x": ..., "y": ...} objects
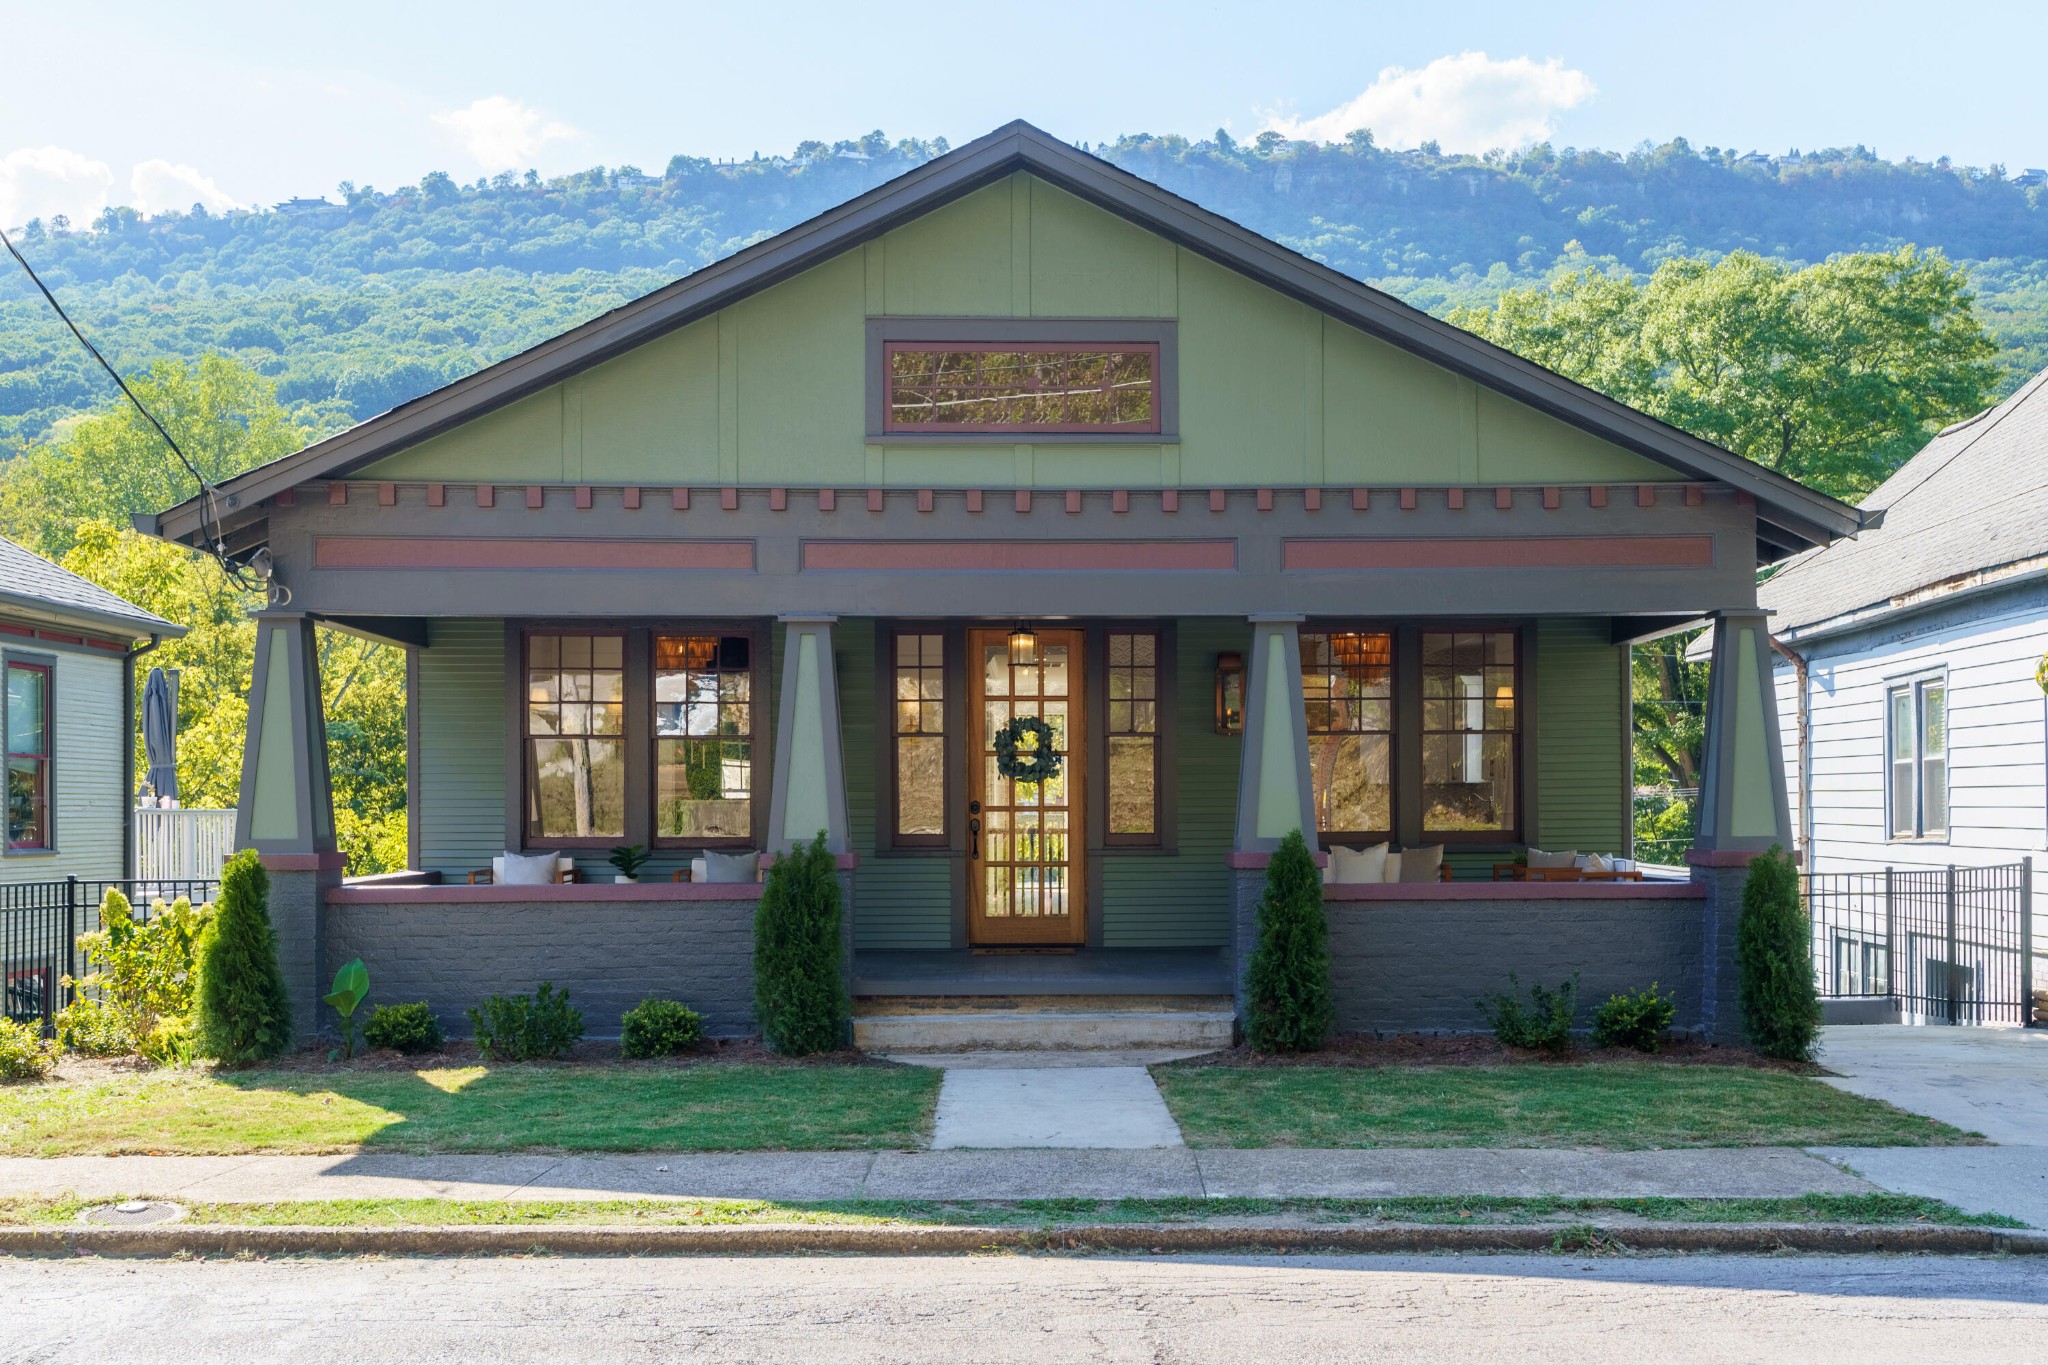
[{"x": 1996, "y": 766}]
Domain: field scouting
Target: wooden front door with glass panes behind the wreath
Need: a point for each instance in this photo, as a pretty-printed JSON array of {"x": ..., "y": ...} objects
[{"x": 1025, "y": 863}]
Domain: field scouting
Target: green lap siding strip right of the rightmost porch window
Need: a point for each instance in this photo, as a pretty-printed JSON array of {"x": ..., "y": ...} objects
[{"x": 1582, "y": 795}]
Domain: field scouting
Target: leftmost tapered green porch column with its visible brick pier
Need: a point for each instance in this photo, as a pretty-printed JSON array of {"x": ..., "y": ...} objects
[{"x": 286, "y": 811}]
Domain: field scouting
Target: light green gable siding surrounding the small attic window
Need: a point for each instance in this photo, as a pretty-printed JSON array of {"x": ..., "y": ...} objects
[{"x": 773, "y": 390}]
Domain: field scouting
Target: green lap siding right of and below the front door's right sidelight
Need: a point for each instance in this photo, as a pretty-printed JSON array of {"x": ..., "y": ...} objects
[{"x": 1185, "y": 899}]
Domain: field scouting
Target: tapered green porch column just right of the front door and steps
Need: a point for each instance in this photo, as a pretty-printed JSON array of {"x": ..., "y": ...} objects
[{"x": 1273, "y": 783}]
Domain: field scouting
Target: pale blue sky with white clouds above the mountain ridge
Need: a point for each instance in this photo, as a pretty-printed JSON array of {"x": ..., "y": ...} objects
[{"x": 255, "y": 101}]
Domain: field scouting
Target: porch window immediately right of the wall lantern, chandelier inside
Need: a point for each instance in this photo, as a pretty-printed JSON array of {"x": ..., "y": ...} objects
[{"x": 1349, "y": 693}]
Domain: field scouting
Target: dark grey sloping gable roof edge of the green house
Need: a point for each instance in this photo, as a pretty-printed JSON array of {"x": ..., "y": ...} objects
[{"x": 1791, "y": 515}]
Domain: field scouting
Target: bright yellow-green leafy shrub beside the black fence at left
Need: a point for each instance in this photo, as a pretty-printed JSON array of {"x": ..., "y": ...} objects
[{"x": 142, "y": 983}]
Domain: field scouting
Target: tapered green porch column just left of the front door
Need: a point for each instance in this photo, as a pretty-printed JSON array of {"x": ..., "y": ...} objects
[{"x": 810, "y": 770}]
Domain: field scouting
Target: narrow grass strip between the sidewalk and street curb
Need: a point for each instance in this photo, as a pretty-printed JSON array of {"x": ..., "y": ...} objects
[{"x": 1048, "y": 1215}]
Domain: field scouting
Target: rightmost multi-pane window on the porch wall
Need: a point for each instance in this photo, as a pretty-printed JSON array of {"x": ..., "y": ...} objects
[{"x": 1469, "y": 732}]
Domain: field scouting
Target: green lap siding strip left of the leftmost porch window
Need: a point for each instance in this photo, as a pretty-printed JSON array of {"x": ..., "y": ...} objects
[{"x": 462, "y": 816}]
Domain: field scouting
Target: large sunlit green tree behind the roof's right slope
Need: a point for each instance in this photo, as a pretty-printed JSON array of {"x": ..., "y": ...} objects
[{"x": 1832, "y": 373}]
